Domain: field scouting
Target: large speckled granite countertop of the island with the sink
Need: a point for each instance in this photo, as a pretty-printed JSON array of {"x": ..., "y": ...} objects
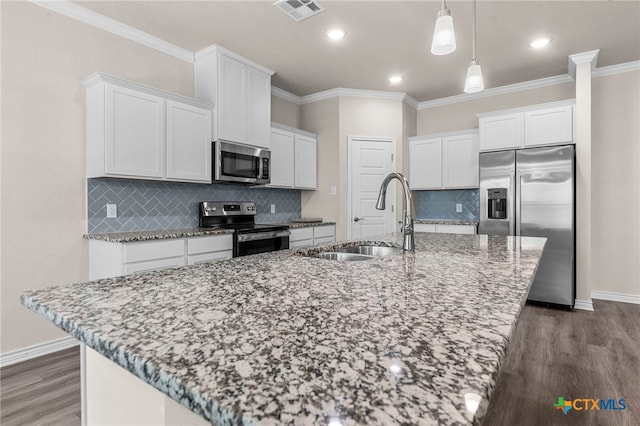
[{"x": 282, "y": 338}]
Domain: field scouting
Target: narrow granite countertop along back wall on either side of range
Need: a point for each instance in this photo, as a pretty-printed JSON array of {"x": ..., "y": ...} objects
[{"x": 127, "y": 237}]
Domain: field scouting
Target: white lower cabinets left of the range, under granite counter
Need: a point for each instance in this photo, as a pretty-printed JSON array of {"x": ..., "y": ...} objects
[{"x": 112, "y": 259}]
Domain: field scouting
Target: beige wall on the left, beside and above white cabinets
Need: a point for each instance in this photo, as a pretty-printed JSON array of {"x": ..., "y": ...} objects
[{"x": 45, "y": 55}]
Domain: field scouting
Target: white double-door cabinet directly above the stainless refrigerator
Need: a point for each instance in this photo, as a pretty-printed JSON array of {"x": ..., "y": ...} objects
[{"x": 536, "y": 125}]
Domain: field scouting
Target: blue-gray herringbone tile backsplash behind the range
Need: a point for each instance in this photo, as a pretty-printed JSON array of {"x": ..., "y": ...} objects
[{"x": 144, "y": 205}]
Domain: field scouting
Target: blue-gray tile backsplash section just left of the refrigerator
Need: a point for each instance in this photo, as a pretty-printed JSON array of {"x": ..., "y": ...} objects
[{"x": 442, "y": 204}]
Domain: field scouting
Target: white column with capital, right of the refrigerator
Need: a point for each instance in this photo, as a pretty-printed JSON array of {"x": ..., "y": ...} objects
[{"x": 580, "y": 68}]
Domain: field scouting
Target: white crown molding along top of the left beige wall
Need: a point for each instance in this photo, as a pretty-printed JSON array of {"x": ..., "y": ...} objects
[{"x": 94, "y": 19}]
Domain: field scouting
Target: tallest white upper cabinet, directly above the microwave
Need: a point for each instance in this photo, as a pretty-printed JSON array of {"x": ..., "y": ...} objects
[{"x": 241, "y": 91}]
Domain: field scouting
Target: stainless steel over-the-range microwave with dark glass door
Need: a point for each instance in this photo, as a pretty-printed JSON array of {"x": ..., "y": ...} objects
[{"x": 237, "y": 163}]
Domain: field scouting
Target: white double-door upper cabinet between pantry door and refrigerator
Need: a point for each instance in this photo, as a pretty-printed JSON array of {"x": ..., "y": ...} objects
[{"x": 444, "y": 161}]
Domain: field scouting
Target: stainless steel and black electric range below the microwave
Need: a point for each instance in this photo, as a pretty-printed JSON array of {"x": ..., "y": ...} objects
[{"x": 248, "y": 237}]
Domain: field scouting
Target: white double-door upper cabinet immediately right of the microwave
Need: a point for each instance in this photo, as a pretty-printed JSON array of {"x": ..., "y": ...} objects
[{"x": 293, "y": 158}]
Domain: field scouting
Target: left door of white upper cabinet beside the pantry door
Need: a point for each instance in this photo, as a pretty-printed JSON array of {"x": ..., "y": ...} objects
[{"x": 425, "y": 163}]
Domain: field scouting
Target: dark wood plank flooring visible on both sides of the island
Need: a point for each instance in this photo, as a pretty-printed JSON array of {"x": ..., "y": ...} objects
[{"x": 554, "y": 353}]
